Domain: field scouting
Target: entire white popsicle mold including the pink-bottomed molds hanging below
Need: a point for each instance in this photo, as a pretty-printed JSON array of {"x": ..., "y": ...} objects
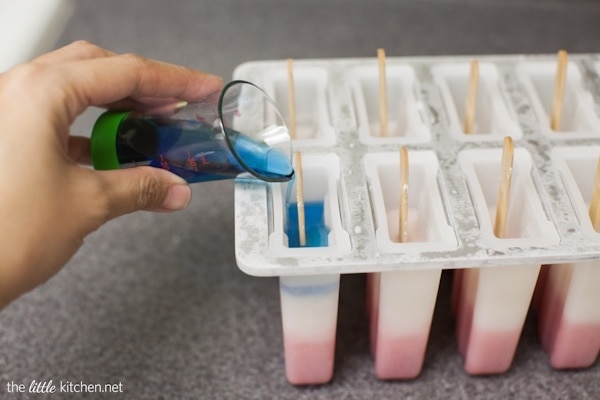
[{"x": 354, "y": 173}]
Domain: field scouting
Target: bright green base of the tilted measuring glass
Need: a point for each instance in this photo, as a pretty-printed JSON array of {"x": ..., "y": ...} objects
[{"x": 103, "y": 150}]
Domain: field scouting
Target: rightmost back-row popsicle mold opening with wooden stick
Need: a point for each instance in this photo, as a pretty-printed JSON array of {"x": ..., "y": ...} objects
[{"x": 578, "y": 116}]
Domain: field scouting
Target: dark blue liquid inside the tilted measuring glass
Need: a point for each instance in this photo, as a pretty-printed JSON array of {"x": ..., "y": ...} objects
[{"x": 196, "y": 151}]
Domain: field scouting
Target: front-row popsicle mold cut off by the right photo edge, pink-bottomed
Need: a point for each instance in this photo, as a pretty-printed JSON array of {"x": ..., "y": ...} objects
[{"x": 568, "y": 315}]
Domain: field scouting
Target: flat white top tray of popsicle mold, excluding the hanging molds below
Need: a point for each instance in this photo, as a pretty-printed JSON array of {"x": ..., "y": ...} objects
[{"x": 453, "y": 179}]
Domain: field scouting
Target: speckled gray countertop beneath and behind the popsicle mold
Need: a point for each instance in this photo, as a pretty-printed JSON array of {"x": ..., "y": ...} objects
[{"x": 155, "y": 302}]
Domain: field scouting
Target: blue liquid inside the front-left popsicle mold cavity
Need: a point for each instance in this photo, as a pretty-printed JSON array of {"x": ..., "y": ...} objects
[{"x": 316, "y": 230}]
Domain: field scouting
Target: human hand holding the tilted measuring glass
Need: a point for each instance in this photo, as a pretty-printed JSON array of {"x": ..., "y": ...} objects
[{"x": 49, "y": 202}]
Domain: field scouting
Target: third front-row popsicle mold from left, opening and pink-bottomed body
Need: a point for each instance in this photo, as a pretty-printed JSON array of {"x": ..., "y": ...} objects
[{"x": 492, "y": 302}]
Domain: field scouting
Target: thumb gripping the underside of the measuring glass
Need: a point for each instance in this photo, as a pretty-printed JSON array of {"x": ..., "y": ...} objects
[{"x": 143, "y": 188}]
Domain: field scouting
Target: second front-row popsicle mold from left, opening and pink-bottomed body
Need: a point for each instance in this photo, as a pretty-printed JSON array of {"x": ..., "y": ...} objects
[{"x": 401, "y": 303}]
